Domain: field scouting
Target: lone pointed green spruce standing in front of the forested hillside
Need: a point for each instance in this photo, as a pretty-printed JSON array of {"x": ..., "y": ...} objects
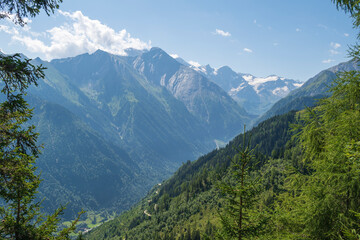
[{"x": 240, "y": 218}]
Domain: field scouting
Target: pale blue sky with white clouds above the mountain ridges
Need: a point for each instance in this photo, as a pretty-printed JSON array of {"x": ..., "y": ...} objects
[{"x": 293, "y": 39}]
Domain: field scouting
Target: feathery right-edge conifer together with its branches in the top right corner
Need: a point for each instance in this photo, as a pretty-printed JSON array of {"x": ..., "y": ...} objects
[{"x": 324, "y": 201}]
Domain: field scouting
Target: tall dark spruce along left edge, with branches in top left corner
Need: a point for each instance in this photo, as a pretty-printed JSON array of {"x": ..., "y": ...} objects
[{"x": 20, "y": 214}]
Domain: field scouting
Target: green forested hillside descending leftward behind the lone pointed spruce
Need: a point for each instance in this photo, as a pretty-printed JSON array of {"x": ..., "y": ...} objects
[{"x": 186, "y": 205}]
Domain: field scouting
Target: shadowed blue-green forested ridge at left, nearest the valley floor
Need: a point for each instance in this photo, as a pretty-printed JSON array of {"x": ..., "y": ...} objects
[{"x": 80, "y": 168}]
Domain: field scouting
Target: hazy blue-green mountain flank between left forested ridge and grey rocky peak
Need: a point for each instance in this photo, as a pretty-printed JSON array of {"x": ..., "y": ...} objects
[{"x": 154, "y": 127}]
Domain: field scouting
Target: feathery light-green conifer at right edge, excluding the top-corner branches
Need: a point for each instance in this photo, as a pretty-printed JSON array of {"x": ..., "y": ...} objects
[{"x": 330, "y": 141}]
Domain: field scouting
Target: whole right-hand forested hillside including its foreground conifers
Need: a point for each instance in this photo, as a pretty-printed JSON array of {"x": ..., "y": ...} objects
[{"x": 294, "y": 176}]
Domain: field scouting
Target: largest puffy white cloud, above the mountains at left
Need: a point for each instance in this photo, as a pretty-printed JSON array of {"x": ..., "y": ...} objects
[{"x": 80, "y": 35}]
